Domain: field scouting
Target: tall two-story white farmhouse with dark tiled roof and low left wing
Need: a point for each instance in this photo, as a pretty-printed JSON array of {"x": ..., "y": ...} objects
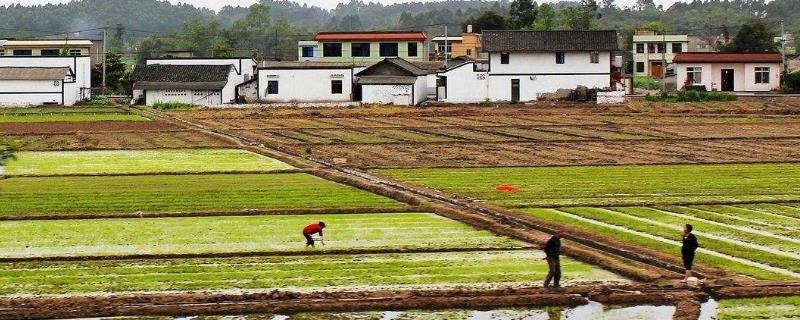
[{"x": 525, "y": 64}]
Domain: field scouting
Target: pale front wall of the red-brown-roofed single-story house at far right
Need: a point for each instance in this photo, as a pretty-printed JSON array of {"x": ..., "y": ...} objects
[{"x": 744, "y": 75}]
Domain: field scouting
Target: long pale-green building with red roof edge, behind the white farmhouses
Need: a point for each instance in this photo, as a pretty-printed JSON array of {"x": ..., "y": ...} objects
[{"x": 361, "y": 47}]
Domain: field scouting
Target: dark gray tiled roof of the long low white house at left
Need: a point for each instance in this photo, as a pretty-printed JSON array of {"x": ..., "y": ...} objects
[{"x": 169, "y": 73}]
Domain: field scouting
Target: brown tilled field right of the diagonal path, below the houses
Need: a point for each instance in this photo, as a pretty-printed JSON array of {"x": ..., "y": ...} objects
[{"x": 748, "y": 130}]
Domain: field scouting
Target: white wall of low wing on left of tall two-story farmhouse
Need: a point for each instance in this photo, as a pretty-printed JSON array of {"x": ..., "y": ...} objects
[{"x": 464, "y": 85}]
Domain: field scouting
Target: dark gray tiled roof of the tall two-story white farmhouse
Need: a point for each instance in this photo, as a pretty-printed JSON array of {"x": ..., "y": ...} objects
[{"x": 517, "y": 40}]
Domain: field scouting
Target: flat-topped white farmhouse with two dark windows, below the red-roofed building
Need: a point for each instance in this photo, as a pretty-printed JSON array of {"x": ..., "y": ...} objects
[{"x": 307, "y": 81}]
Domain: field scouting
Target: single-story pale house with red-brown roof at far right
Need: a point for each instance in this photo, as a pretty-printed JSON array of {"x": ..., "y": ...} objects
[{"x": 714, "y": 71}]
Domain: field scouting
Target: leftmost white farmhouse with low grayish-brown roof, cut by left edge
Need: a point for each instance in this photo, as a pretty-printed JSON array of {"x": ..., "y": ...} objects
[{"x": 38, "y": 80}]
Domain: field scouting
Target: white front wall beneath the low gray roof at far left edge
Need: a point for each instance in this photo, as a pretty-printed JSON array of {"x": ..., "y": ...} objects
[{"x": 30, "y": 92}]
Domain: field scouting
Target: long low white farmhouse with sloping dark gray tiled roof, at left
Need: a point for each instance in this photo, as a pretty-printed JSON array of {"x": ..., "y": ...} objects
[{"x": 190, "y": 84}]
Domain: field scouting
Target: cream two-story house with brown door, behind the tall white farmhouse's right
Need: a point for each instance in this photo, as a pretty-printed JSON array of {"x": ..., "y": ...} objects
[{"x": 652, "y": 52}]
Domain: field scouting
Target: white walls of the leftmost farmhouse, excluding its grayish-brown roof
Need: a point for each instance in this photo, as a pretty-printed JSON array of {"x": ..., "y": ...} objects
[{"x": 75, "y": 89}]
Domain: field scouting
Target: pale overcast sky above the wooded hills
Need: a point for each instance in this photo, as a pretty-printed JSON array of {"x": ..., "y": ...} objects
[{"x": 217, "y": 4}]
